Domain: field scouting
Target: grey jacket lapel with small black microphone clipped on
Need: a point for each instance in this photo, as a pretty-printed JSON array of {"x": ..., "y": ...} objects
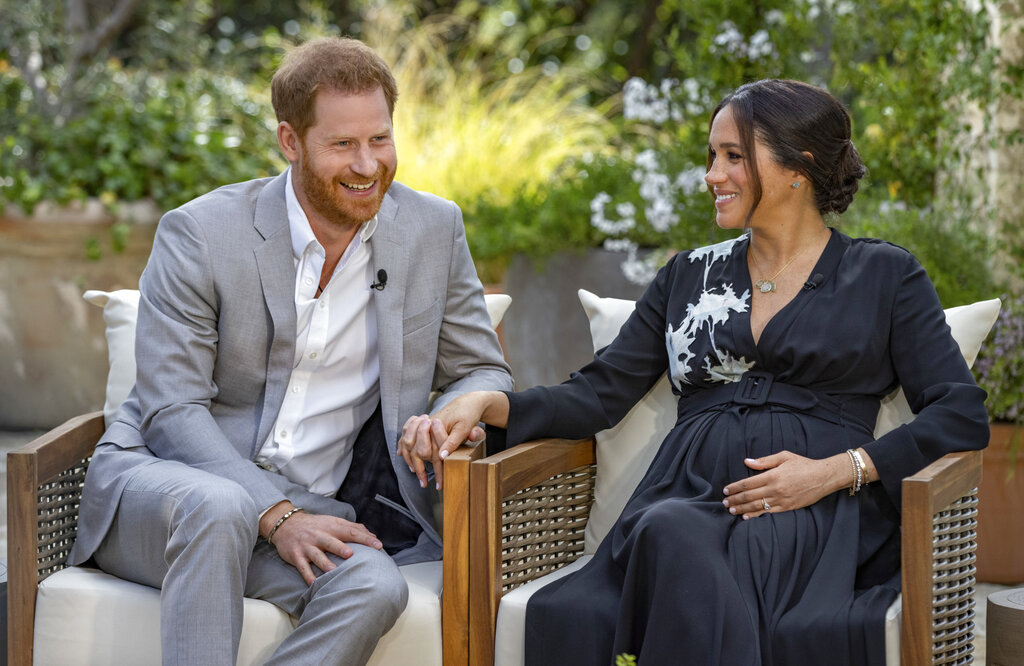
[{"x": 390, "y": 255}]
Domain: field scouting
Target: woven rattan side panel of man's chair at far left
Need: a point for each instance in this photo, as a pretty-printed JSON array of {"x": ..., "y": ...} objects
[{"x": 57, "y": 519}]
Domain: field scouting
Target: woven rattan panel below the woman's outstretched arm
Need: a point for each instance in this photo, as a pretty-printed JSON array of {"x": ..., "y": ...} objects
[{"x": 543, "y": 526}]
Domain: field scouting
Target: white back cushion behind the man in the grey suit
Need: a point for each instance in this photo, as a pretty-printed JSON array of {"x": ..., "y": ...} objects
[{"x": 120, "y": 313}]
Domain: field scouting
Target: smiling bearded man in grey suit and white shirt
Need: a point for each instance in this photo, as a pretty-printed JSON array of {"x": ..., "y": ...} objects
[{"x": 288, "y": 329}]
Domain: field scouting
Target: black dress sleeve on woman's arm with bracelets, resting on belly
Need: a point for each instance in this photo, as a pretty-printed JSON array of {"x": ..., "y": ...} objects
[{"x": 949, "y": 404}]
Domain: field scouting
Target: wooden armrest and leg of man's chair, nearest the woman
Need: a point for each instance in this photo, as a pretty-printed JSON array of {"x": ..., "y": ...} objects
[{"x": 455, "y": 563}]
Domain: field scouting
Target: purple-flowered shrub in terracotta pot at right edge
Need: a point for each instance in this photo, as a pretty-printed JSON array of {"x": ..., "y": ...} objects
[{"x": 1000, "y": 368}]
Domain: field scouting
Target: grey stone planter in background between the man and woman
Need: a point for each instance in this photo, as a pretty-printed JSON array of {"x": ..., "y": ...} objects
[{"x": 545, "y": 332}]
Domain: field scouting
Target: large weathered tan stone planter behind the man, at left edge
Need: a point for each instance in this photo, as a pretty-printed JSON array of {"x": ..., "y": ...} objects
[{"x": 53, "y": 348}]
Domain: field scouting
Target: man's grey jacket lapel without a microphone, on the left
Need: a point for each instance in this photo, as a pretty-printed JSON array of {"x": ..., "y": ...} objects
[{"x": 277, "y": 272}]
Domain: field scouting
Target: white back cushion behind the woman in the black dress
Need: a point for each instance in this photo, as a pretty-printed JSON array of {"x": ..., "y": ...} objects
[{"x": 625, "y": 452}]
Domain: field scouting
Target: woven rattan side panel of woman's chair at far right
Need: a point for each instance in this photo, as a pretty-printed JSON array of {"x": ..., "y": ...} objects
[{"x": 954, "y": 546}]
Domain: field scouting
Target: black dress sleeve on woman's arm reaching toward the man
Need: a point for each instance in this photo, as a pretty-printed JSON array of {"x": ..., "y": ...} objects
[{"x": 602, "y": 393}]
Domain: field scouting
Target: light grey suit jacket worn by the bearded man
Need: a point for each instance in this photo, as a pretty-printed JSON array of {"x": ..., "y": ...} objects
[{"x": 217, "y": 332}]
